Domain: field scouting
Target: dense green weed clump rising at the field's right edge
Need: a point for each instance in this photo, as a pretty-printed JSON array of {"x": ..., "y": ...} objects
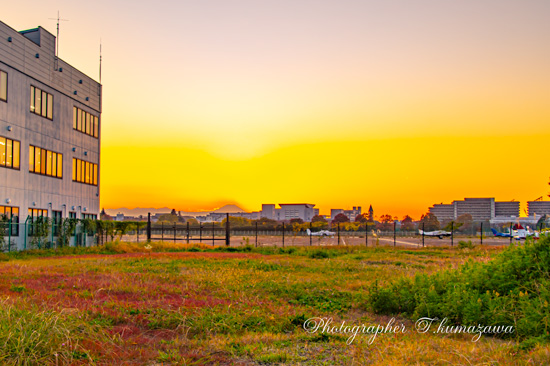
[{"x": 513, "y": 289}]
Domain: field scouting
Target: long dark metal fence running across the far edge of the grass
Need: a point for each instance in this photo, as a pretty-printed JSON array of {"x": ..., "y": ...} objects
[{"x": 39, "y": 233}]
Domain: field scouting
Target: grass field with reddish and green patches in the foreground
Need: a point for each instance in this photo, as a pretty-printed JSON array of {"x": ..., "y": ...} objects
[{"x": 192, "y": 305}]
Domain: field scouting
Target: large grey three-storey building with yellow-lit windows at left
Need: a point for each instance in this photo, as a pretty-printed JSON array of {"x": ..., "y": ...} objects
[{"x": 50, "y": 116}]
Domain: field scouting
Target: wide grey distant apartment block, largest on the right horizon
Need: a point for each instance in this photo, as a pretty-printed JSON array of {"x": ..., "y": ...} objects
[{"x": 481, "y": 209}]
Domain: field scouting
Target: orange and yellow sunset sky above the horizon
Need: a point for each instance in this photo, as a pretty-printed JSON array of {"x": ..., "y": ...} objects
[{"x": 398, "y": 104}]
